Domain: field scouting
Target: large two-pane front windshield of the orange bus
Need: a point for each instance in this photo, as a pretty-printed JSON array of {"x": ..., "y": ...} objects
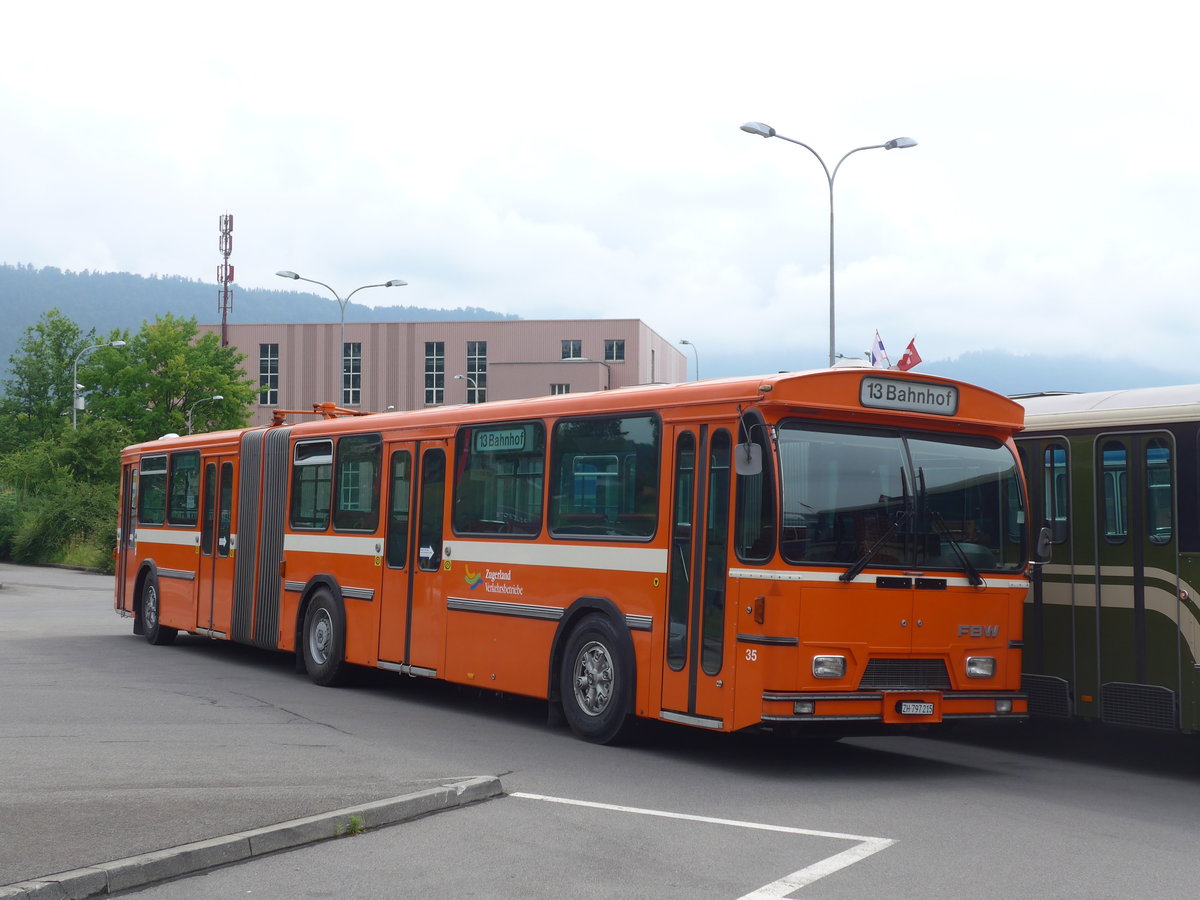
[{"x": 889, "y": 499}]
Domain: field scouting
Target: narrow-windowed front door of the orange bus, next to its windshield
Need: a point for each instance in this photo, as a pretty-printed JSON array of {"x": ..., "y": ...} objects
[{"x": 698, "y": 663}]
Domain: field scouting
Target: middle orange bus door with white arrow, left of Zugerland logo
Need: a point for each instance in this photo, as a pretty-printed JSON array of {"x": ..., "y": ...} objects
[{"x": 410, "y": 599}]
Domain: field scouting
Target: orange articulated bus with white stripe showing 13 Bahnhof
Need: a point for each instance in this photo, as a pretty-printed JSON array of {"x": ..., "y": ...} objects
[{"x": 841, "y": 550}]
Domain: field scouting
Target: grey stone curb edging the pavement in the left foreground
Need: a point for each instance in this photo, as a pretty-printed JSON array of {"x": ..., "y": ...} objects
[{"x": 190, "y": 859}]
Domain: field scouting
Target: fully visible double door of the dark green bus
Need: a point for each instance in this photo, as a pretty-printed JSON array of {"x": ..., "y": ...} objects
[{"x": 1137, "y": 587}]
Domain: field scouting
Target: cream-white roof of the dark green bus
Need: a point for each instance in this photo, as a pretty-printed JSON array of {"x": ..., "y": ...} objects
[{"x": 1125, "y": 407}]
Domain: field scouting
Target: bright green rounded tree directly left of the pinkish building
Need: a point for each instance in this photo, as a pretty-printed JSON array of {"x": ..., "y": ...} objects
[{"x": 167, "y": 368}]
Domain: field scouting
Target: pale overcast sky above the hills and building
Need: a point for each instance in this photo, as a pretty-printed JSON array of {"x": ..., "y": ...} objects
[{"x": 585, "y": 160}]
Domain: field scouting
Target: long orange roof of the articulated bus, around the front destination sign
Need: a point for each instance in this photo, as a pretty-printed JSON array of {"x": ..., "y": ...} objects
[{"x": 830, "y": 389}]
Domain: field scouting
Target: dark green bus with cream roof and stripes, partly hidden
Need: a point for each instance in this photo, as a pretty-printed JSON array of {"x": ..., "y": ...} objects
[{"x": 1112, "y": 622}]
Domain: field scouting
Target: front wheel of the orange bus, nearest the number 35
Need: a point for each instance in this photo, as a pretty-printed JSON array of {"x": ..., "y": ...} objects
[{"x": 596, "y": 682}]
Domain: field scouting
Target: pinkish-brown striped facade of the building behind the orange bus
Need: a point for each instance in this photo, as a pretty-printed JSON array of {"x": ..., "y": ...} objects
[{"x": 525, "y": 359}]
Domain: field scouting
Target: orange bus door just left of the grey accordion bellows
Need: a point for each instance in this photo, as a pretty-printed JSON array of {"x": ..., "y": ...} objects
[{"x": 215, "y": 577}]
